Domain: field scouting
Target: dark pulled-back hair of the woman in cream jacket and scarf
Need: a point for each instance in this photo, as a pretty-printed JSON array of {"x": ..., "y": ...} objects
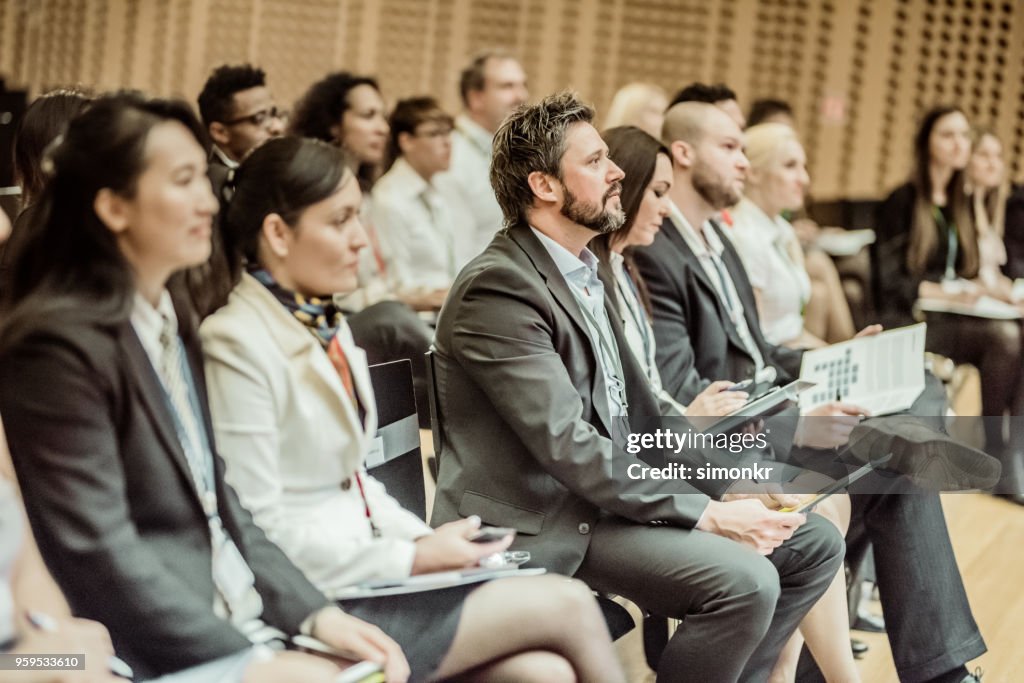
[{"x": 286, "y": 177}]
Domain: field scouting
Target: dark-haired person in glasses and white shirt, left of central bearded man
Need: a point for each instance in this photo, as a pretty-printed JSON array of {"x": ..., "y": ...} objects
[{"x": 424, "y": 227}]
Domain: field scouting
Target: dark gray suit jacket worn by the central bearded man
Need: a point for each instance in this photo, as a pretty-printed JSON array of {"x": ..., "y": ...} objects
[{"x": 525, "y": 414}]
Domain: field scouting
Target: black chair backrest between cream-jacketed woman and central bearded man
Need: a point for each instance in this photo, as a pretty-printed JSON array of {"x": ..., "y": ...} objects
[{"x": 396, "y": 461}]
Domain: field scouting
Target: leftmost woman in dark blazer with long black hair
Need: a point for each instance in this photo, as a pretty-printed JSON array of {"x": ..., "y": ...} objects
[{"x": 103, "y": 396}]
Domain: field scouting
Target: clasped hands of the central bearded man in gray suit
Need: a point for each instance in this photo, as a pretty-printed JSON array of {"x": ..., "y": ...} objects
[{"x": 750, "y": 523}]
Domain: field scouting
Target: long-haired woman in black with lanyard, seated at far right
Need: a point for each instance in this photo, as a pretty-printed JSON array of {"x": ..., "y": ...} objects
[{"x": 928, "y": 248}]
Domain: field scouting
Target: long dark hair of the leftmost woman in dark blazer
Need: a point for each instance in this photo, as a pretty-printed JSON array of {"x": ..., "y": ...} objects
[{"x": 70, "y": 264}]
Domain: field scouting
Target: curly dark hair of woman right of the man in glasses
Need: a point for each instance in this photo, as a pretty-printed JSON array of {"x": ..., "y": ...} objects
[{"x": 323, "y": 108}]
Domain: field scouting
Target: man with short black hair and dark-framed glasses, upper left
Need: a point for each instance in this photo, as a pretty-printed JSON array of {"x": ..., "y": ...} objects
[{"x": 240, "y": 114}]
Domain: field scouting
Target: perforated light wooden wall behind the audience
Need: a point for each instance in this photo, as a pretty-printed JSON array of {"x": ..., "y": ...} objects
[{"x": 859, "y": 72}]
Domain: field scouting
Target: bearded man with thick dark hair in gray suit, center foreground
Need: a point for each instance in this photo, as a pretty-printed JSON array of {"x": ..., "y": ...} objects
[{"x": 536, "y": 403}]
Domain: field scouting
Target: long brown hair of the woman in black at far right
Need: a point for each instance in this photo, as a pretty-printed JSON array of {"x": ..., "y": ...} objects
[{"x": 924, "y": 231}]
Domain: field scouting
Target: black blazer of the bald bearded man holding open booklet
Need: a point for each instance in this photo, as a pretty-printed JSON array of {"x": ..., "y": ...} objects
[{"x": 697, "y": 341}]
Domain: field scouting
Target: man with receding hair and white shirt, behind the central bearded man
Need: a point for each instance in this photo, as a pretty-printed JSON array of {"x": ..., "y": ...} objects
[{"x": 492, "y": 87}]
